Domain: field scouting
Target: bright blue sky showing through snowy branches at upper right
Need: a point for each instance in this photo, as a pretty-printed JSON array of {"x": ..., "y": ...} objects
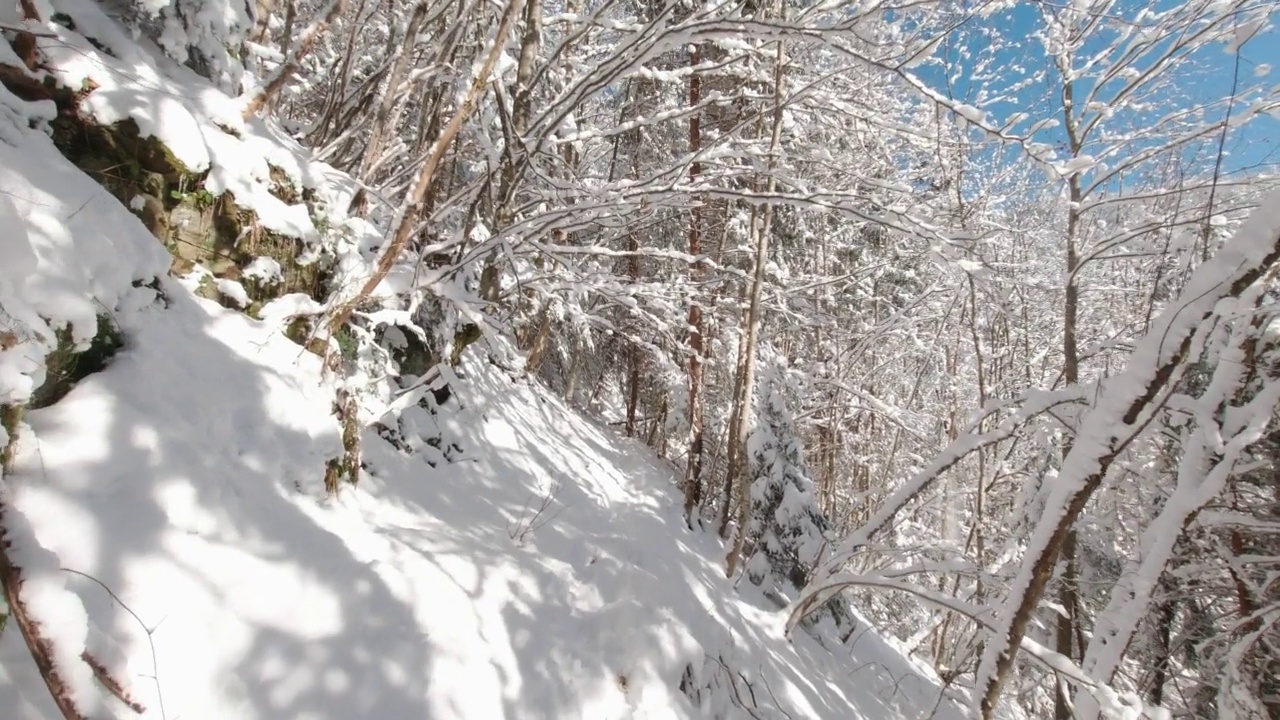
[{"x": 989, "y": 57}]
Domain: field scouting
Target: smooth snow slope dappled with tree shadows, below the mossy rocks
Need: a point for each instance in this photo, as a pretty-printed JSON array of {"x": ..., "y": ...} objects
[{"x": 175, "y": 479}]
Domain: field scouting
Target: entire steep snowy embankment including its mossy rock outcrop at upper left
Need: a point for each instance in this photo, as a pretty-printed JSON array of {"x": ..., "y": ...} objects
[{"x": 166, "y": 482}]
